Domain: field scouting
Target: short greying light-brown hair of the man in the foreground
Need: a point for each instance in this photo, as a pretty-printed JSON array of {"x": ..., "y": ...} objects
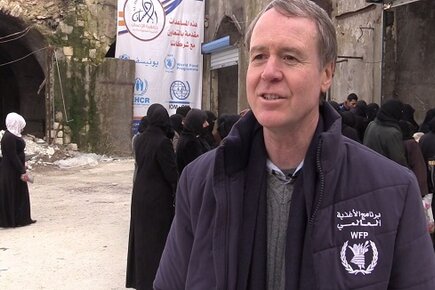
[{"x": 326, "y": 40}]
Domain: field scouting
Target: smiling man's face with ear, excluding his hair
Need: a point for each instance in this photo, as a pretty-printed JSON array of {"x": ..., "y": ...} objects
[{"x": 284, "y": 78}]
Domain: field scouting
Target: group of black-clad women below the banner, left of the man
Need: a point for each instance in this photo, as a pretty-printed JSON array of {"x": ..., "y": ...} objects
[{"x": 163, "y": 147}]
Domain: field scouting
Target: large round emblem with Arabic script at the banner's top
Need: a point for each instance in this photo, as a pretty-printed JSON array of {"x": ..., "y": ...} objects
[{"x": 144, "y": 19}]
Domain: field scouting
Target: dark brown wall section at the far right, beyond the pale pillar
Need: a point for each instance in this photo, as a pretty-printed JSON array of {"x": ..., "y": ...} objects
[{"x": 410, "y": 56}]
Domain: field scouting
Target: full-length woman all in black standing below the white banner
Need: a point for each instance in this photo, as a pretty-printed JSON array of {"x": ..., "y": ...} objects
[{"x": 152, "y": 205}]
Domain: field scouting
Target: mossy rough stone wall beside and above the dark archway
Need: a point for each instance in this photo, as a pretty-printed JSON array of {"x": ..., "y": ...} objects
[{"x": 80, "y": 33}]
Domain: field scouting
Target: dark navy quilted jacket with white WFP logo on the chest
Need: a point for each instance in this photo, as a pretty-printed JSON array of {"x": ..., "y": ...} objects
[{"x": 364, "y": 226}]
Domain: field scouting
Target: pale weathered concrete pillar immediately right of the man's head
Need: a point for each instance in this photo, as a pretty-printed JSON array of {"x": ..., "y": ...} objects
[{"x": 359, "y": 37}]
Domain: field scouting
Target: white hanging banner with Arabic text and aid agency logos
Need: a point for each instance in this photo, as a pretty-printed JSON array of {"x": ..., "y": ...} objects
[{"x": 164, "y": 38}]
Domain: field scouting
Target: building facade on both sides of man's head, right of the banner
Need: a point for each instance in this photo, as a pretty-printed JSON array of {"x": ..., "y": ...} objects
[{"x": 385, "y": 50}]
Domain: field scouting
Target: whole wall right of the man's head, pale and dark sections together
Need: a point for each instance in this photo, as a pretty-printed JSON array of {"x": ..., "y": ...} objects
[{"x": 398, "y": 51}]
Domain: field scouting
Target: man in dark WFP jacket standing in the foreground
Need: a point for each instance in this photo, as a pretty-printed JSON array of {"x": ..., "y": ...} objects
[{"x": 287, "y": 202}]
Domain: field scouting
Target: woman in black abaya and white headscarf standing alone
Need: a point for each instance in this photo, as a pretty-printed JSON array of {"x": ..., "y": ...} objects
[{"x": 14, "y": 193}]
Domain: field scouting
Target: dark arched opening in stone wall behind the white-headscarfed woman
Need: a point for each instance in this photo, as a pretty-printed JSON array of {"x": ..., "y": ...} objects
[{"x": 22, "y": 73}]
